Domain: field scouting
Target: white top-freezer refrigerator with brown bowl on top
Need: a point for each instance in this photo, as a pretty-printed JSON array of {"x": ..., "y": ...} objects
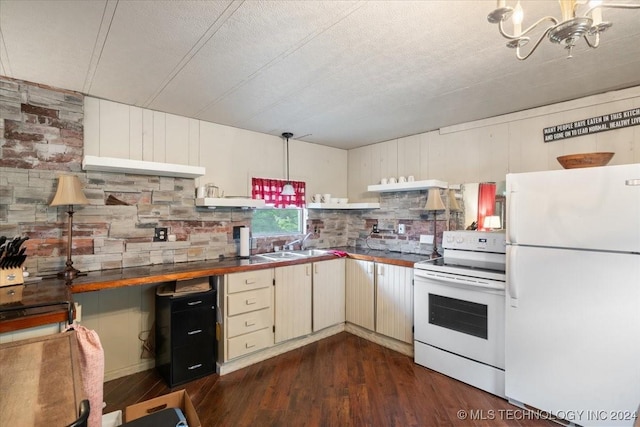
[{"x": 572, "y": 344}]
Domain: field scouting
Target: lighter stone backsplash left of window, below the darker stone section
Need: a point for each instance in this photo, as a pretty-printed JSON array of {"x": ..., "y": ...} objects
[{"x": 113, "y": 236}]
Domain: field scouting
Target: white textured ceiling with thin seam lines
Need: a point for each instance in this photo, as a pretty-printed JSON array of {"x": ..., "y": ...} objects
[{"x": 336, "y": 73}]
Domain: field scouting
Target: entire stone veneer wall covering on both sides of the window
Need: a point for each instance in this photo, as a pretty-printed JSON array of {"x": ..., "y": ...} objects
[{"x": 41, "y": 137}]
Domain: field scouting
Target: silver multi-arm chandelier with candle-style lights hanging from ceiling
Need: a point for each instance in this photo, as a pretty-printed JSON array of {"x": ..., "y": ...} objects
[{"x": 566, "y": 31}]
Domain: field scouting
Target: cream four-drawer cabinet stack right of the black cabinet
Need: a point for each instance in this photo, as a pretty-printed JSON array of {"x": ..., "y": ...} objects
[{"x": 247, "y": 300}]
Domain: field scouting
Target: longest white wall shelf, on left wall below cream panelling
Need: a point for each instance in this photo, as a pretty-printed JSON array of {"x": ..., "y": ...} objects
[{"x": 140, "y": 167}]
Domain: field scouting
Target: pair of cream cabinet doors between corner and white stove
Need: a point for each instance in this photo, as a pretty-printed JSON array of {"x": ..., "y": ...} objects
[{"x": 379, "y": 297}]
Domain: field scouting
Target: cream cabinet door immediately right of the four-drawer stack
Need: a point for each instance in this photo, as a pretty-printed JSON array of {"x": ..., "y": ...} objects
[{"x": 293, "y": 301}]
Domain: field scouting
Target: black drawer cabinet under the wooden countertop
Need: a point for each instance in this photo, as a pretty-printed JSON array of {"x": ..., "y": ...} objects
[{"x": 186, "y": 345}]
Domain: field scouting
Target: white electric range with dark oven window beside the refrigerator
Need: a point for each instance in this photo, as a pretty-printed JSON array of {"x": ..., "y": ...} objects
[{"x": 459, "y": 309}]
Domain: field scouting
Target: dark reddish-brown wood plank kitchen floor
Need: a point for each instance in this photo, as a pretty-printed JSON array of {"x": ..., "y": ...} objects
[{"x": 342, "y": 380}]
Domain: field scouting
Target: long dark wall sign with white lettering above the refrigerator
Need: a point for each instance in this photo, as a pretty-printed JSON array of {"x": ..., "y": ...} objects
[{"x": 603, "y": 123}]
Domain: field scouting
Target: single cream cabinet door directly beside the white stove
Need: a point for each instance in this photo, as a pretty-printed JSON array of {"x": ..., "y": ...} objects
[{"x": 394, "y": 302}]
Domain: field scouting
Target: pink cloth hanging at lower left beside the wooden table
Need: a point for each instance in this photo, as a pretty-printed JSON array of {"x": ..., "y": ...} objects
[{"x": 91, "y": 357}]
